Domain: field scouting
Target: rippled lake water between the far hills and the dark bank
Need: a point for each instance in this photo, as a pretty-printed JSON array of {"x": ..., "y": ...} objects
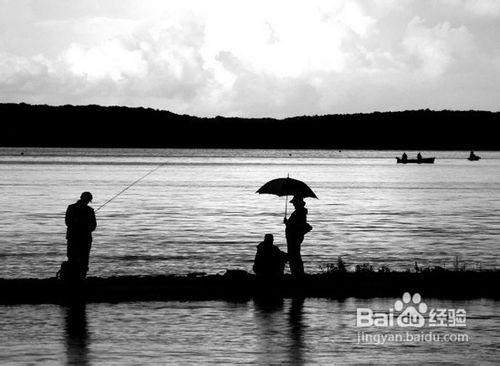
[{"x": 199, "y": 211}]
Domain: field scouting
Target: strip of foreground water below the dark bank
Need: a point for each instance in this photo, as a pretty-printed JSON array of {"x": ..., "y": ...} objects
[{"x": 289, "y": 331}]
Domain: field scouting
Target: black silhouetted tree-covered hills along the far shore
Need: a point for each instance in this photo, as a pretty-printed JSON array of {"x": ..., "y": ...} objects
[{"x": 97, "y": 126}]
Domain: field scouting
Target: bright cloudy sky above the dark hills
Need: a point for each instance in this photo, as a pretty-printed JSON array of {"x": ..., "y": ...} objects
[{"x": 253, "y": 58}]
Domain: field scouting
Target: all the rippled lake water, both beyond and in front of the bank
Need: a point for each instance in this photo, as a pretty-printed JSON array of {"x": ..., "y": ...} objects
[{"x": 199, "y": 212}]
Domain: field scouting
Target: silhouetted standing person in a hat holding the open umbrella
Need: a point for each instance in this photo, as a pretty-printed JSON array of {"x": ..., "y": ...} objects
[{"x": 296, "y": 228}]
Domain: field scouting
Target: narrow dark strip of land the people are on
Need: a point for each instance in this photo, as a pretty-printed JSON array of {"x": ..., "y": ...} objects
[{"x": 242, "y": 286}]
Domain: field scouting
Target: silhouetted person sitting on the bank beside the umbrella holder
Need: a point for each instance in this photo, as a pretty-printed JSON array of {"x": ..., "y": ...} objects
[{"x": 269, "y": 259}]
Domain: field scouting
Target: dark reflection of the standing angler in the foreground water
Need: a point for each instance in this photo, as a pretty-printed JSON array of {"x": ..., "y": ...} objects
[{"x": 76, "y": 334}]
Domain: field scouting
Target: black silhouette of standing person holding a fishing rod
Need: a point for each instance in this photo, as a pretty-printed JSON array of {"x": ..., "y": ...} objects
[{"x": 80, "y": 220}]
